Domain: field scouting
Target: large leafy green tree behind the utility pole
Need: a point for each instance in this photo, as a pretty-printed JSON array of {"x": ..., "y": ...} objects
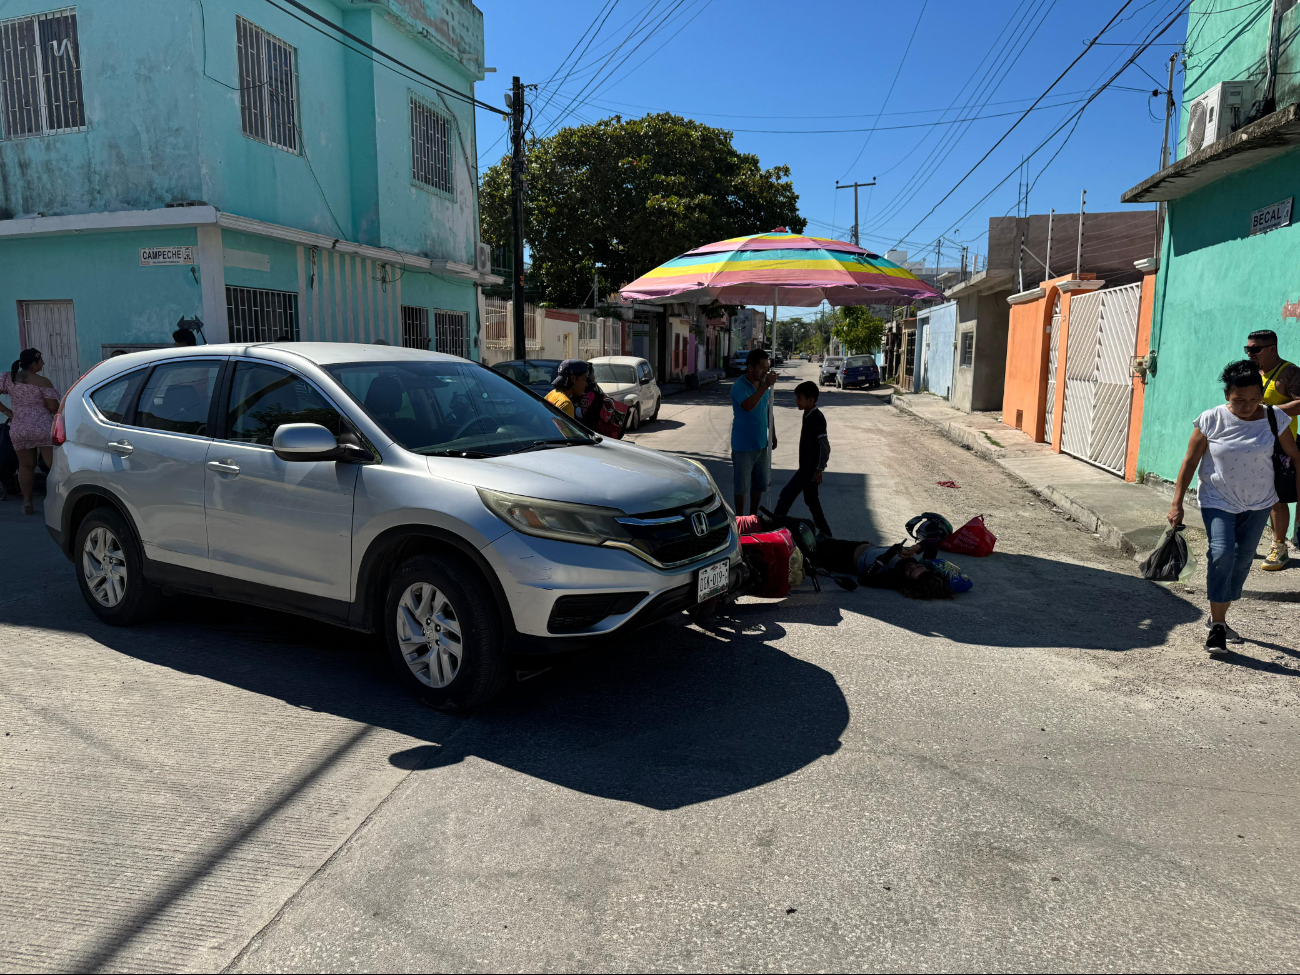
[{"x": 631, "y": 196}]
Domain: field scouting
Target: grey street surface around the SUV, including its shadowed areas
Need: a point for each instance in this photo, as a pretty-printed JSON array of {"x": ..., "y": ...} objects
[{"x": 1045, "y": 774}]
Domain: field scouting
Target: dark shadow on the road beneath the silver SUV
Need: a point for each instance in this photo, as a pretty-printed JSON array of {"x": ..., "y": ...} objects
[{"x": 666, "y": 718}]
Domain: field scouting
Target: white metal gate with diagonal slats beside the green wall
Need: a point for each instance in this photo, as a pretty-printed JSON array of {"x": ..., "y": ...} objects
[{"x": 1099, "y": 376}]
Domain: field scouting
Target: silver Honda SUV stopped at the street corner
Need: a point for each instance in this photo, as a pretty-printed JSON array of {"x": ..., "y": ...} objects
[{"x": 389, "y": 491}]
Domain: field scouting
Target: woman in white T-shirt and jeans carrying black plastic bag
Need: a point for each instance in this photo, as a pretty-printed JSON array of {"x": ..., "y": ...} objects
[{"x": 1232, "y": 449}]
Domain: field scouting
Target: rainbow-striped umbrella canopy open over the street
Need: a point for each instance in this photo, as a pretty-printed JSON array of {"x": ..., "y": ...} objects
[{"x": 783, "y": 268}]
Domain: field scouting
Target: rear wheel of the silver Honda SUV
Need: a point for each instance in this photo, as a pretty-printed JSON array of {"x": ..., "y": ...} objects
[{"x": 105, "y": 538}]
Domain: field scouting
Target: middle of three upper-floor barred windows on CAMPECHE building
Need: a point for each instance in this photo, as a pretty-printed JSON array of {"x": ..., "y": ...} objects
[{"x": 268, "y": 86}]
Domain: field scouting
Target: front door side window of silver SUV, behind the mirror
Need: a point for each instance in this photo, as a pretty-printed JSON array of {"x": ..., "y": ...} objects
[{"x": 265, "y": 397}]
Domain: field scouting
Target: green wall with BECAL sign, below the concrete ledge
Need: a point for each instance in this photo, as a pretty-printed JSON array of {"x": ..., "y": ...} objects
[{"x": 1216, "y": 285}]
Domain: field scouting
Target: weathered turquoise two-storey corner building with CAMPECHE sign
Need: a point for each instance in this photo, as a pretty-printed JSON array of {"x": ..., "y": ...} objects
[{"x": 279, "y": 171}]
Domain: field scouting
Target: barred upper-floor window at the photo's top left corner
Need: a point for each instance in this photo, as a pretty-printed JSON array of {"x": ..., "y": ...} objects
[{"x": 41, "y": 76}]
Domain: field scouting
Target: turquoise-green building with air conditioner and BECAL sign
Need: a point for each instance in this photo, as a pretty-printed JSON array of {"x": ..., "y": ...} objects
[{"x": 1230, "y": 258}]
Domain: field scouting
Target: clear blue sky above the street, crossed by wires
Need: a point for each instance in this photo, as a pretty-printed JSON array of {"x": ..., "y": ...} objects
[{"x": 782, "y": 75}]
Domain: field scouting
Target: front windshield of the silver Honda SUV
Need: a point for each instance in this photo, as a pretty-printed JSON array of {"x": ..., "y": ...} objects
[{"x": 454, "y": 409}]
